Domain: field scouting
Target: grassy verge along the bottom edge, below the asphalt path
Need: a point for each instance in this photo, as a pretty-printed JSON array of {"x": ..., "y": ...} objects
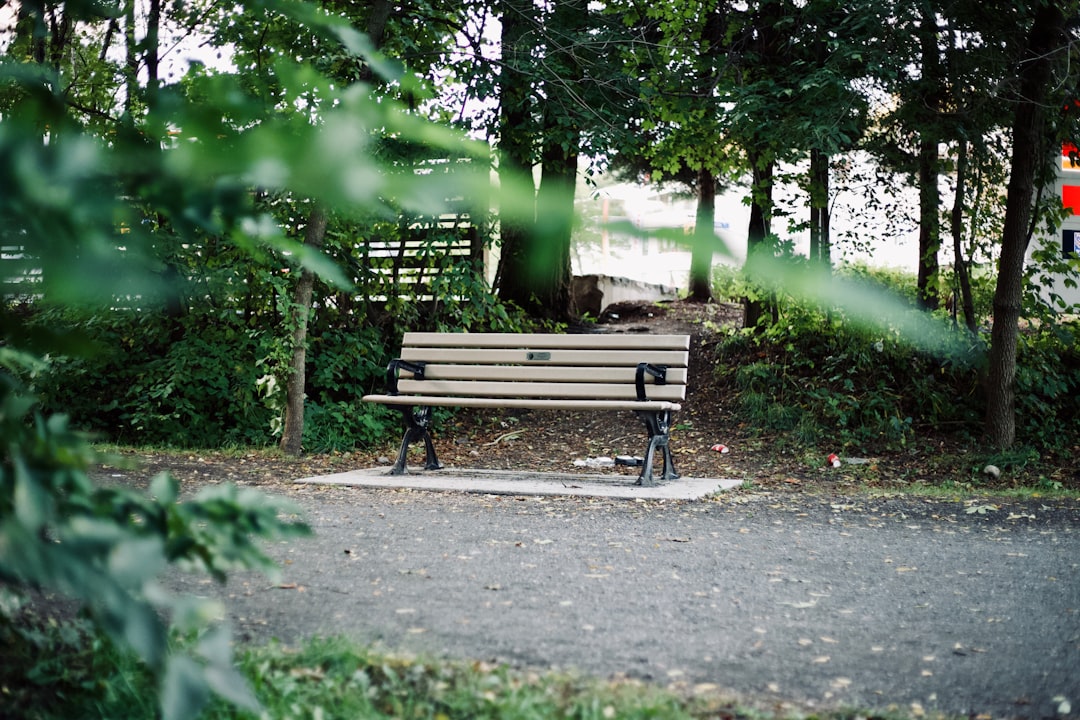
[{"x": 52, "y": 671}]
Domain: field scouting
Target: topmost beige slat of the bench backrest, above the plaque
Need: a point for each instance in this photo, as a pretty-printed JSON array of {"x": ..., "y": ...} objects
[{"x": 547, "y": 341}]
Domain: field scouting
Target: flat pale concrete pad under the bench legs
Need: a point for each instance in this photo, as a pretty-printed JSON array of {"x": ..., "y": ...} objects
[{"x": 517, "y": 483}]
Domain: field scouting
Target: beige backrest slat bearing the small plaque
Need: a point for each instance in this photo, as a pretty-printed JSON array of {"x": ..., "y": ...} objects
[{"x": 546, "y": 357}]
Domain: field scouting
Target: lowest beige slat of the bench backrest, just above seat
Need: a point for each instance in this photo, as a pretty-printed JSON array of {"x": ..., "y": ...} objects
[{"x": 553, "y": 390}]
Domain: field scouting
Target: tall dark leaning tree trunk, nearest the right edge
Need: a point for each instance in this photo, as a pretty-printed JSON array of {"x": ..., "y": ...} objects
[{"x": 1030, "y": 130}]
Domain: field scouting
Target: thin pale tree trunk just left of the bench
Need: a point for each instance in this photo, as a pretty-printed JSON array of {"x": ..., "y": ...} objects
[{"x": 292, "y": 437}]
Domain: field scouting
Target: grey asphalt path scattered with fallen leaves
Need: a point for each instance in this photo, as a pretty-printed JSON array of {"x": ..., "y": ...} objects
[{"x": 965, "y": 608}]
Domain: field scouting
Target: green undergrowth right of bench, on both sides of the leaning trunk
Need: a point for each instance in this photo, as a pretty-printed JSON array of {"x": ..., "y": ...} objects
[{"x": 818, "y": 376}]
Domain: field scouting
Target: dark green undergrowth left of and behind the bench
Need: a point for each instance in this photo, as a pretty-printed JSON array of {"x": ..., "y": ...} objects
[{"x": 217, "y": 378}]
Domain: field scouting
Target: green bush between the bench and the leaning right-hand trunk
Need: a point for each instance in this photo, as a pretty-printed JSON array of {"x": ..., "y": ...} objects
[{"x": 818, "y": 377}]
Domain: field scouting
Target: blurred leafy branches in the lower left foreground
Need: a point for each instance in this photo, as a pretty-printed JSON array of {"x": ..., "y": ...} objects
[{"x": 104, "y": 547}]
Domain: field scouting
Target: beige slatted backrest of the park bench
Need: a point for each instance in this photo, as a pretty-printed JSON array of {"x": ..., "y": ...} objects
[{"x": 546, "y": 366}]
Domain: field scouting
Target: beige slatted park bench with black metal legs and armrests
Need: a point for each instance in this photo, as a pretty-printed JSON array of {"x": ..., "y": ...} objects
[{"x": 645, "y": 374}]
